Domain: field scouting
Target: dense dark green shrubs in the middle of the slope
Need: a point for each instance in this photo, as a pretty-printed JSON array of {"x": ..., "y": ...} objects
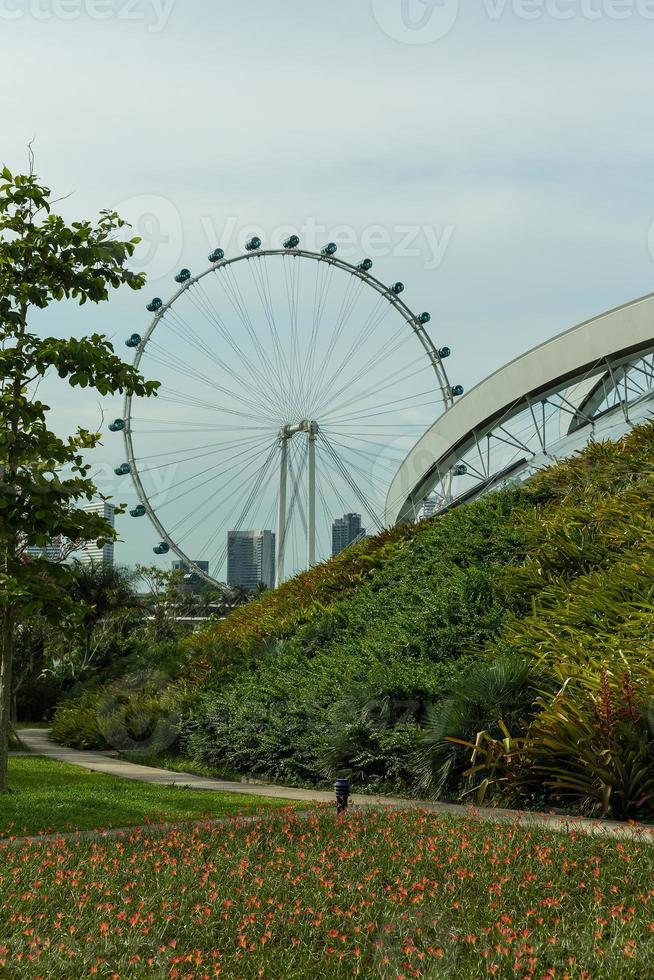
[{"x": 350, "y": 690}]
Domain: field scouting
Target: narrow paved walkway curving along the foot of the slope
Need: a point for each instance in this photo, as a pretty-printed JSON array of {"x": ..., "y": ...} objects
[{"x": 38, "y": 742}]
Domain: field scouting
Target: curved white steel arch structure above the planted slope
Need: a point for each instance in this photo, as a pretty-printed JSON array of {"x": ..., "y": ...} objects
[{"x": 593, "y": 381}]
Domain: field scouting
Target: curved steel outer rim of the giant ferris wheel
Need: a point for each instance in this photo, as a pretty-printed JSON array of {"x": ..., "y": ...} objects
[{"x": 364, "y": 276}]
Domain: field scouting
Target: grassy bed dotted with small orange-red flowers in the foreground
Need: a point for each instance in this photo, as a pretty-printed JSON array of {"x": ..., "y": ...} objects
[{"x": 391, "y": 894}]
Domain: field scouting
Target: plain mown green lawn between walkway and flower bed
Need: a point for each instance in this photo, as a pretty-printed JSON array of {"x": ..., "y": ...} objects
[{"x": 51, "y": 796}]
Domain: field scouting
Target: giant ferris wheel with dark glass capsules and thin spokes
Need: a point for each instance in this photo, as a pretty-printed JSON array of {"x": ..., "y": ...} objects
[{"x": 293, "y": 384}]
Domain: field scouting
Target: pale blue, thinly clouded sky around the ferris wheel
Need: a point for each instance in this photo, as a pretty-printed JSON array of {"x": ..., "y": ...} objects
[{"x": 495, "y": 156}]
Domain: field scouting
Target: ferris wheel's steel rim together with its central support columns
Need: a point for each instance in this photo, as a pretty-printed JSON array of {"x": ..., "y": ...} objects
[{"x": 308, "y": 427}]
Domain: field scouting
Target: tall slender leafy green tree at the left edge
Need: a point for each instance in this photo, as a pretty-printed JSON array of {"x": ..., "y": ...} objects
[{"x": 43, "y": 477}]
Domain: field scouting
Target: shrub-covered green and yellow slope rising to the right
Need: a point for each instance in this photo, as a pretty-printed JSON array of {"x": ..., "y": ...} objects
[{"x": 526, "y": 616}]
